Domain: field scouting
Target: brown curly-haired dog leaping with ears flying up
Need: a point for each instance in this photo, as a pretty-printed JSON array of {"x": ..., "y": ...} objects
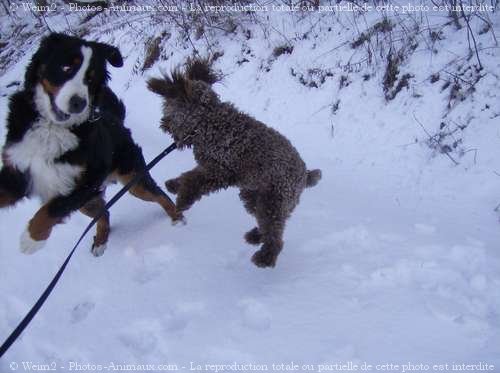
[{"x": 232, "y": 149}]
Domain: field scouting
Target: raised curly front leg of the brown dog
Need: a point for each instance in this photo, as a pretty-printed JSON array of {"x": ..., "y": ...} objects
[{"x": 192, "y": 185}]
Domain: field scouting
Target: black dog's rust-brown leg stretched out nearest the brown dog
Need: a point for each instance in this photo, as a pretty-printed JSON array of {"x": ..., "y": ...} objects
[{"x": 147, "y": 190}]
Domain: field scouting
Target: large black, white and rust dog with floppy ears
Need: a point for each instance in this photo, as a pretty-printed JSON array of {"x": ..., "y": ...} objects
[{"x": 66, "y": 140}]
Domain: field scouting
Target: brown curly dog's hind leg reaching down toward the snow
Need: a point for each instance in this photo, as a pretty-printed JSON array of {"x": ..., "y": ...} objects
[{"x": 272, "y": 211}]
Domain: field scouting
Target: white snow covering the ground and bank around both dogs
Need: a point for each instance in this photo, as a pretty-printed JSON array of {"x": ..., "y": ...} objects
[{"x": 392, "y": 258}]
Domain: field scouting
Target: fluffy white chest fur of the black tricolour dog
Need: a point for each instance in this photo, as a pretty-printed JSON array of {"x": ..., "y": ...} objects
[{"x": 36, "y": 154}]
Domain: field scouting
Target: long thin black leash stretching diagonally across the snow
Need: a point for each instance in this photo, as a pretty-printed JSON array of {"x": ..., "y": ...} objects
[{"x": 39, "y": 303}]
